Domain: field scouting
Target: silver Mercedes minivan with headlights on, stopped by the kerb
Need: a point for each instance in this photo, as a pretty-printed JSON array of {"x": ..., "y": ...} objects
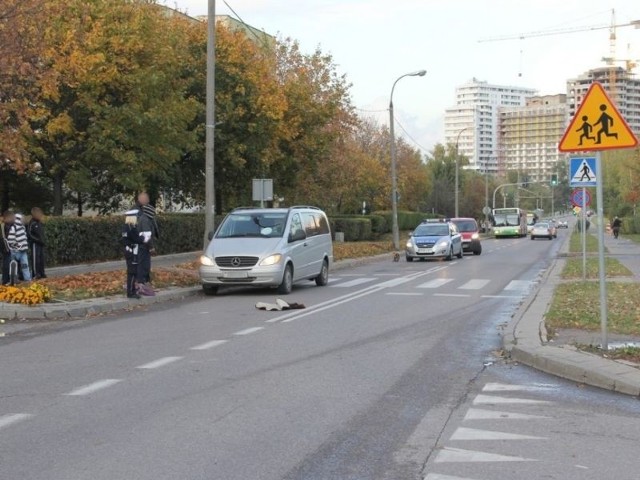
[{"x": 268, "y": 247}]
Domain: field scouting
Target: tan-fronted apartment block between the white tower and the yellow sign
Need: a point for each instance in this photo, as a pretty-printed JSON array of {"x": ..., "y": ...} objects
[{"x": 529, "y": 136}]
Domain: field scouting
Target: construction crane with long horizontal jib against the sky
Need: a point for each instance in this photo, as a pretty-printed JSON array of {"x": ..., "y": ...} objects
[{"x": 611, "y": 60}]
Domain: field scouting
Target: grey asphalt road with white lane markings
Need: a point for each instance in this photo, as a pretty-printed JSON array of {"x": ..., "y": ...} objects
[{"x": 390, "y": 373}]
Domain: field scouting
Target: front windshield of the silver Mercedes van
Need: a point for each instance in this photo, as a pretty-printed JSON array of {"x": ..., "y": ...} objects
[{"x": 258, "y": 225}]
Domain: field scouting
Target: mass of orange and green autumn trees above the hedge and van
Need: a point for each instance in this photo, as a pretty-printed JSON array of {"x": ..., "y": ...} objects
[{"x": 106, "y": 98}]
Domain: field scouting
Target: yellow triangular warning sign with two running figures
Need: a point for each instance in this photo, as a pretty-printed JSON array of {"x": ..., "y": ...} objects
[{"x": 597, "y": 125}]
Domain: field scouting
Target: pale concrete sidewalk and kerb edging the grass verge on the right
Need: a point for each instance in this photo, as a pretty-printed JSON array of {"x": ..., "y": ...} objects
[{"x": 526, "y": 338}]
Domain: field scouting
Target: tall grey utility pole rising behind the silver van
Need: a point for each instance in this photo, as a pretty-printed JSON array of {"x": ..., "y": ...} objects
[{"x": 209, "y": 183}]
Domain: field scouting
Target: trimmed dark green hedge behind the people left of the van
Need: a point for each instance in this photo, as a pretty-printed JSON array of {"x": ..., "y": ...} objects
[{"x": 72, "y": 240}]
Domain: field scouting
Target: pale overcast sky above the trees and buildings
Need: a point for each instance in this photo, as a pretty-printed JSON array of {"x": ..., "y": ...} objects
[{"x": 373, "y": 42}]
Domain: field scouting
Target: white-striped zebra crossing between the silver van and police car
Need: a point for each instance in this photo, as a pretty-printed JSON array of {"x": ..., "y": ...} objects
[{"x": 443, "y": 286}]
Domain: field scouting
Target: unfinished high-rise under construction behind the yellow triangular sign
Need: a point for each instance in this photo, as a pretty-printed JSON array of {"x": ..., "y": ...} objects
[{"x": 621, "y": 85}]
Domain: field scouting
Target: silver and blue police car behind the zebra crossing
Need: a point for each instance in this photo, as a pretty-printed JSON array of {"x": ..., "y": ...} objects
[{"x": 434, "y": 239}]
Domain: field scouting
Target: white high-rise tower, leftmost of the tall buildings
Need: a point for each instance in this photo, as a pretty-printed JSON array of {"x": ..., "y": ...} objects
[{"x": 474, "y": 120}]
